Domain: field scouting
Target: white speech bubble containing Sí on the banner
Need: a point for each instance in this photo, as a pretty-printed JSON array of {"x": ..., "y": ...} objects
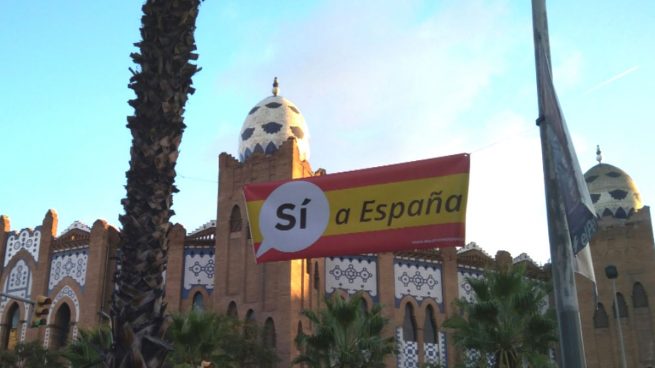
[{"x": 293, "y": 217}]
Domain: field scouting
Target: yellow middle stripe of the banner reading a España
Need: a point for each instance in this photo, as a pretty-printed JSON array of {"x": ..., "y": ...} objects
[{"x": 419, "y": 202}]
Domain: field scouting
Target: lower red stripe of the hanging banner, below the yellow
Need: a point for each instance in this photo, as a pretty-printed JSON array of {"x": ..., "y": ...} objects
[{"x": 444, "y": 235}]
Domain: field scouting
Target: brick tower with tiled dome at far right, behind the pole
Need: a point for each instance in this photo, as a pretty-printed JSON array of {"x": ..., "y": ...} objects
[{"x": 625, "y": 240}]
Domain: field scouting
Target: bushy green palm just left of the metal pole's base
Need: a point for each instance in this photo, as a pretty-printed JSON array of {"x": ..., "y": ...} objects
[{"x": 505, "y": 320}]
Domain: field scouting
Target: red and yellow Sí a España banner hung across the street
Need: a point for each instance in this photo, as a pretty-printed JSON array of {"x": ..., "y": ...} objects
[{"x": 419, "y": 204}]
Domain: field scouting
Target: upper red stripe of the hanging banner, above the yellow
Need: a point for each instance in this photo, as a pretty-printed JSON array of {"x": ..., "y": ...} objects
[{"x": 440, "y": 166}]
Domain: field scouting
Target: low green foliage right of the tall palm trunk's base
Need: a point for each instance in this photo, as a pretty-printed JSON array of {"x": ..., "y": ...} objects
[{"x": 198, "y": 336}]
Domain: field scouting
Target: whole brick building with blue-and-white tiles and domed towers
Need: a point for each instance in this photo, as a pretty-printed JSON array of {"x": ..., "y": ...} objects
[{"x": 213, "y": 267}]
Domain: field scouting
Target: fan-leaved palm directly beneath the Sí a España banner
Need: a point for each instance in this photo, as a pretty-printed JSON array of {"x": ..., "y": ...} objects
[{"x": 346, "y": 335}]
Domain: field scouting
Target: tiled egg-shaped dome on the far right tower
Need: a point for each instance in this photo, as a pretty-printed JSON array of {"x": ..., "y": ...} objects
[{"x": 612, "y": 191}]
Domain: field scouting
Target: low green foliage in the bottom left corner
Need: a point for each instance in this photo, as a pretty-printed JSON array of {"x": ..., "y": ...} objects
[{"x": 30, "y": 355}]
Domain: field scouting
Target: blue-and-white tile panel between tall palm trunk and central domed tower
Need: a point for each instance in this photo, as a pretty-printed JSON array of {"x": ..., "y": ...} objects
[{"x": 199, "y": 269}]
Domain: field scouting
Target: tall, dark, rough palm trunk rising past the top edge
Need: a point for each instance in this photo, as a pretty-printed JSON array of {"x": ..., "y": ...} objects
[{"x": 162, "y": 84}]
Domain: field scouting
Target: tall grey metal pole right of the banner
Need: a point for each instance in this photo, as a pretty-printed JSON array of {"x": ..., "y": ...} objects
[{"x": 561, "y": 250}]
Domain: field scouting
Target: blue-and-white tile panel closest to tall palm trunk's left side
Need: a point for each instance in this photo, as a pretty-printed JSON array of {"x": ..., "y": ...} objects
[{"x": 71, "y": 263}]
